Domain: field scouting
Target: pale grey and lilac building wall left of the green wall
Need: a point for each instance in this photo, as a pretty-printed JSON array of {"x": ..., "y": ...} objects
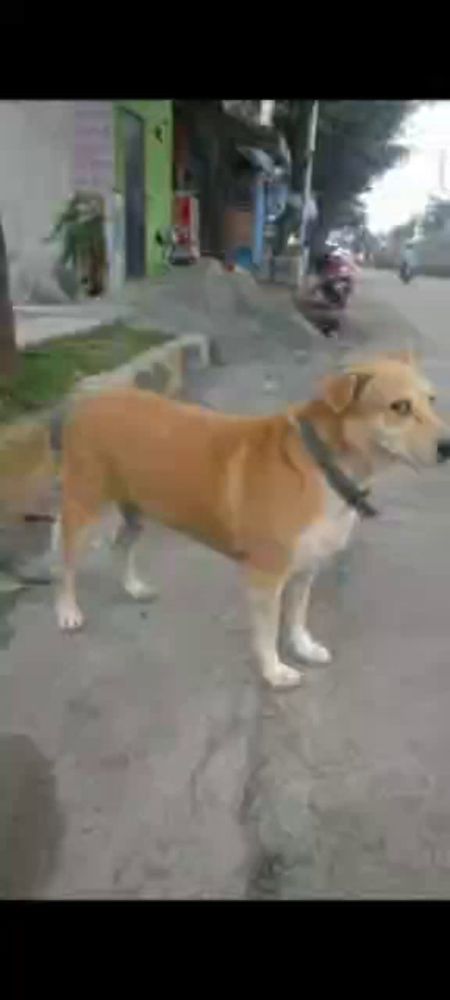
[{"x": 49, "y": 149}]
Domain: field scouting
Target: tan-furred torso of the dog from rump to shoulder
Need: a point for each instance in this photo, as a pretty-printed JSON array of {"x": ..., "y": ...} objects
[{"x": 222, "y": 479}]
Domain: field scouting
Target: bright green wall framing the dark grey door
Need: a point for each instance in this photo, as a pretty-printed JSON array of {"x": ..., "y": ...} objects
[{"x": 158, "y": 170}]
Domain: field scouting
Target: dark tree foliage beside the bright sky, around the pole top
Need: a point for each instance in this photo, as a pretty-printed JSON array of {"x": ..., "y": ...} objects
[{"x": 355, "y": 143}]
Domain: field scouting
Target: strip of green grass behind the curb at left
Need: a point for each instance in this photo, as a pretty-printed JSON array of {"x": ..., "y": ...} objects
[{"x": 51, "y": 369}]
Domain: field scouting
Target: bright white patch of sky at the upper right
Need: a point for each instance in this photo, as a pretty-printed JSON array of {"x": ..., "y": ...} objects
[{"x": 405, "y": 189}]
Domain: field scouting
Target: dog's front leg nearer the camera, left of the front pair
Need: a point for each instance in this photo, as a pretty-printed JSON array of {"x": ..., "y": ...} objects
[{"x": 264, "y": 597}]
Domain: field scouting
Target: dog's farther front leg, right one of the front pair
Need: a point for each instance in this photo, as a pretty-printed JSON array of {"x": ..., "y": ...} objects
[{"x": 296, "y": 604}]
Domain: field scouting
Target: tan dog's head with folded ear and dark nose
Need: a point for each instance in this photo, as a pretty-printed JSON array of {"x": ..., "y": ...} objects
[{"x": 385, "y": 411}]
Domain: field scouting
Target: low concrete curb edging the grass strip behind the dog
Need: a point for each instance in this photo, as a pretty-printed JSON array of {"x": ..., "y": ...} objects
[{"x": 27, "y": 466}]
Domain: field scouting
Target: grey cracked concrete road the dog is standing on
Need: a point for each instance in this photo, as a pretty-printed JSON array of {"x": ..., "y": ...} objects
[{"x": 142, "y": 758}]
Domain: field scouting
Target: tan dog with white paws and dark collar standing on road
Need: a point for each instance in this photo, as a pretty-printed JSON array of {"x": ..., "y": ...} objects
[{"x": 277, "y": 494}]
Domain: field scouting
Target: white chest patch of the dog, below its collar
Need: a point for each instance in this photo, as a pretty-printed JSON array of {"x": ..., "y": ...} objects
[{"x": 327, "y": 535}]
